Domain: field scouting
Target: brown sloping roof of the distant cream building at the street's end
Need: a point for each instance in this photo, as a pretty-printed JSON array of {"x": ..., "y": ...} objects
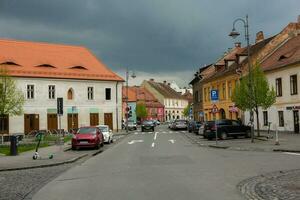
[{"x": 165, "y": 90}]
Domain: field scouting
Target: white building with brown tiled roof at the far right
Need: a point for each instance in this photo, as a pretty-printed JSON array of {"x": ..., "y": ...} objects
[{"x": 282, "y": 70}]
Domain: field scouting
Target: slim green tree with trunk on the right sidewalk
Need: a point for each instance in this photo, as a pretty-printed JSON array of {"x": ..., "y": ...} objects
[{"x": 261, "y": 96}]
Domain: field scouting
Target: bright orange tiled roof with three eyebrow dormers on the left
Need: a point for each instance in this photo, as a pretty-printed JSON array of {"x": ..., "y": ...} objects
[{"x": 45, "y": 60}]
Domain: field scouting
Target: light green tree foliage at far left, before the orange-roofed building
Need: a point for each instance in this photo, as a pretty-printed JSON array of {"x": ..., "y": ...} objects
[{"x": 11, "y": 98}]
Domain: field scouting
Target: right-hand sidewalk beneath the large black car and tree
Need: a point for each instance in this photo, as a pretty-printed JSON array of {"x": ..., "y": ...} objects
[{"x": 288, "y": 142}]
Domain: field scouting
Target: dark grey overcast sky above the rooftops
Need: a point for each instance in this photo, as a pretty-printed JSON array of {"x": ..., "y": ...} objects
[{"x": 161, "y": 39}]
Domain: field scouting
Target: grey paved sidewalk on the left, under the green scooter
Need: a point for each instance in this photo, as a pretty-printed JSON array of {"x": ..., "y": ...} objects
[{"x": 25, "y": 161}]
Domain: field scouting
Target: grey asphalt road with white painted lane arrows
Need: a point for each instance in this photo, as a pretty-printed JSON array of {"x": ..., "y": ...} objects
[{"x": 163, "y": 165}]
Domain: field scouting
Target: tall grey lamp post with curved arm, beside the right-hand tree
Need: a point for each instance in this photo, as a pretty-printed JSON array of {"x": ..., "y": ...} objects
[{"x": 234, "y": 34}]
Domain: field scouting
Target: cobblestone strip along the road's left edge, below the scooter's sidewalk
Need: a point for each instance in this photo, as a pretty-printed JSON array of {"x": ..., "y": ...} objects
[{"x": 23, "y": 184}]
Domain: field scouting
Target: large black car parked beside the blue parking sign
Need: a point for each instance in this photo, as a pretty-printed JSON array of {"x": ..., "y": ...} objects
[{"x": 225, "y": 128}]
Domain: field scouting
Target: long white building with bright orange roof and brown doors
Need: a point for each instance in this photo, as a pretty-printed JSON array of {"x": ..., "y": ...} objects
[{"x": 92, "y": 93}]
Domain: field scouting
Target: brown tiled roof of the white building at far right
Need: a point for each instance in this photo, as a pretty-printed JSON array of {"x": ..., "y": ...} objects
[{"x": 287, "y": 54}]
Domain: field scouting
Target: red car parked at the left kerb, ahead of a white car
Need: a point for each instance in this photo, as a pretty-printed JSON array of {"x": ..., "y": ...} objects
[{"x": 89, "y": 136}]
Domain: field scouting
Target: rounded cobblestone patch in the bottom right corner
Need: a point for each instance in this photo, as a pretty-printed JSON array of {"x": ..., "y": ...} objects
[{"x": 272, "y": 186}]
